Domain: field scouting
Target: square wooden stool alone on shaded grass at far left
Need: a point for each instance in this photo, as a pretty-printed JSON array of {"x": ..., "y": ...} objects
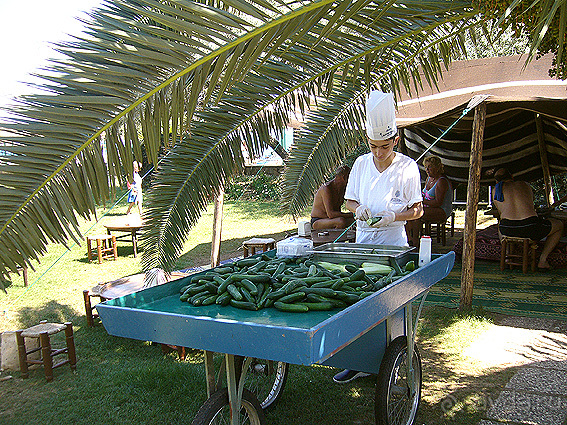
[{"x": 43, "y": 331}]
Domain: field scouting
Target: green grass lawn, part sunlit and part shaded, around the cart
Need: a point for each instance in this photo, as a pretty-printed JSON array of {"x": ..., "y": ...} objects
[{"x": 122, "y": 381}]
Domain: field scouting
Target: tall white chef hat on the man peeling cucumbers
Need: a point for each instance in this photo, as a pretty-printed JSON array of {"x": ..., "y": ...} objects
[{"x": 380, "y": 116}]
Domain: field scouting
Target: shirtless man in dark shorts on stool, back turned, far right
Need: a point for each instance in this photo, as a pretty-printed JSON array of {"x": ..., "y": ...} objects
[{"x": 518, "y": 218}]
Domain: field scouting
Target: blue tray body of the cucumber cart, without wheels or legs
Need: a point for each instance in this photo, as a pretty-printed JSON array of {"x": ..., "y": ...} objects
[{"x": 354, "y": 337}]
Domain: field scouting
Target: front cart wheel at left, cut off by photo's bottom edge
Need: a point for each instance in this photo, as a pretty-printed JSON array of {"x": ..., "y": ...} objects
[{"x": 216, "y": 410}]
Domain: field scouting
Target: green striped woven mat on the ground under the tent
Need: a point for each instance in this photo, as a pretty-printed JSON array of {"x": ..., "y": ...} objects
[{"x": 538, "y": 294}]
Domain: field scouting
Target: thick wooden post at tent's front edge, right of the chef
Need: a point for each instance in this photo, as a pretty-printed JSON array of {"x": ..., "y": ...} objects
[{"x": 473, "y": 189}]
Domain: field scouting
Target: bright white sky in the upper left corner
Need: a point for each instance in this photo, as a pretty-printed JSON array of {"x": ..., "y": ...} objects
[{"x": 27, "y": 27}]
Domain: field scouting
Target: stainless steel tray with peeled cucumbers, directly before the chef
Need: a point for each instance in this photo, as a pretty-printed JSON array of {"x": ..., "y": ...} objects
[{"x": 359, "y": 253}]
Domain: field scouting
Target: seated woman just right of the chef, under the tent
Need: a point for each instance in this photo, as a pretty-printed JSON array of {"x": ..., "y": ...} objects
[{"x": 437, "y": 199}]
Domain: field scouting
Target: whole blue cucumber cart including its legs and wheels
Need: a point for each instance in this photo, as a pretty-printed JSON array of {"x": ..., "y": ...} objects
[{"x": 375, "y": 335}]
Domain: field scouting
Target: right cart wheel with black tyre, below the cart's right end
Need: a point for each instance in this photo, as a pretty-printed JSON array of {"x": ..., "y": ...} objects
[{"x": 394, "y": 403}]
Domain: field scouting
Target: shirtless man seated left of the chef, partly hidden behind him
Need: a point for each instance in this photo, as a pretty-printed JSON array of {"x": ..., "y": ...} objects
[{"x": 326, "y": 212}]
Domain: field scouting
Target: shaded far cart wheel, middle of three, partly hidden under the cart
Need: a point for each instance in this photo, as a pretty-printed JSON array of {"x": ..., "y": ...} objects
[{"x": 265, "y": 378}]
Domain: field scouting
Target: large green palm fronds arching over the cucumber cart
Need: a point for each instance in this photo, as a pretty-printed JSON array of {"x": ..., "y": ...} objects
[{"x": 184, "y": 84}]
